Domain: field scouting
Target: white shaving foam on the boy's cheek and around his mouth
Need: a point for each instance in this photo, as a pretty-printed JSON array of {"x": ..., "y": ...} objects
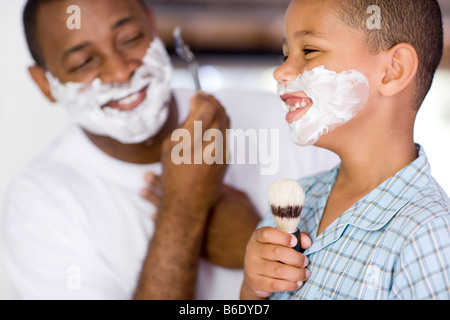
[{"x": 333, "y": 99}]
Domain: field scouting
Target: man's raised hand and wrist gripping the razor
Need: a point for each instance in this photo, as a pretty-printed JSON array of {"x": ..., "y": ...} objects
[{"x": 195, "y": 186}]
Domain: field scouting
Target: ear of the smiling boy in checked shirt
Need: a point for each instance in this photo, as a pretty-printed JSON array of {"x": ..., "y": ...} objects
[{"x": 401, "y": 68}]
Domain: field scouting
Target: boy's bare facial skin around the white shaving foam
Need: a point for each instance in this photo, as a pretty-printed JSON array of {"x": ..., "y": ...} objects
[{"x": 315, "y": 36}]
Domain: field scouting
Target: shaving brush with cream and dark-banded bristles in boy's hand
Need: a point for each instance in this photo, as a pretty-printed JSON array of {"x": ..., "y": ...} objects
[{"x": 286, "y": 198}]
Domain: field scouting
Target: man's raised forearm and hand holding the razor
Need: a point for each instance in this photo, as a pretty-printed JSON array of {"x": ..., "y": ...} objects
[{"x": 189, "y": 191}]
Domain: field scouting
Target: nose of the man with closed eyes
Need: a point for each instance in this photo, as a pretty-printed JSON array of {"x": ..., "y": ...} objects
[{"x": 118, "y": 68}]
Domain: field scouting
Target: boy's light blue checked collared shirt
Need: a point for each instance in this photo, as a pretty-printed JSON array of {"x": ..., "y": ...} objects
[{"x": 392, "y": 244}]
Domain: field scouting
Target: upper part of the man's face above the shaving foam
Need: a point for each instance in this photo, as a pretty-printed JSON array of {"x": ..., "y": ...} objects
[{"x": 110, "y": 45}]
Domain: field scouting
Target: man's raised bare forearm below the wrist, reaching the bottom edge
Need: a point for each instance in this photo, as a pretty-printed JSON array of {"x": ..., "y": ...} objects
[{"x": 170, "y": 269}]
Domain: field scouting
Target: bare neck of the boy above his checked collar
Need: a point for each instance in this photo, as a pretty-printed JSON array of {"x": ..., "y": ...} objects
[{"x": 379, "y": 147}]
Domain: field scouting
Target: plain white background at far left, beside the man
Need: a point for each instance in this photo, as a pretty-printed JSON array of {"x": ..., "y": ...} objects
[{"x": 27, "y": 122}]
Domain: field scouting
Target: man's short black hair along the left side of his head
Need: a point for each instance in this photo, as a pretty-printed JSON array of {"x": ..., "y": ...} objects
[{"x": 30, "y": 14}]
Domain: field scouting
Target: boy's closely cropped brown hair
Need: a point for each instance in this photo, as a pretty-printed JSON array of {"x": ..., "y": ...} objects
[{"x": 416, "y": 22}]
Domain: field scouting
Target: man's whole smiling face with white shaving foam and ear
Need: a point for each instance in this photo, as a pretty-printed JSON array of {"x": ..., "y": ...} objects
[{"x": 112, "y": 75}]
